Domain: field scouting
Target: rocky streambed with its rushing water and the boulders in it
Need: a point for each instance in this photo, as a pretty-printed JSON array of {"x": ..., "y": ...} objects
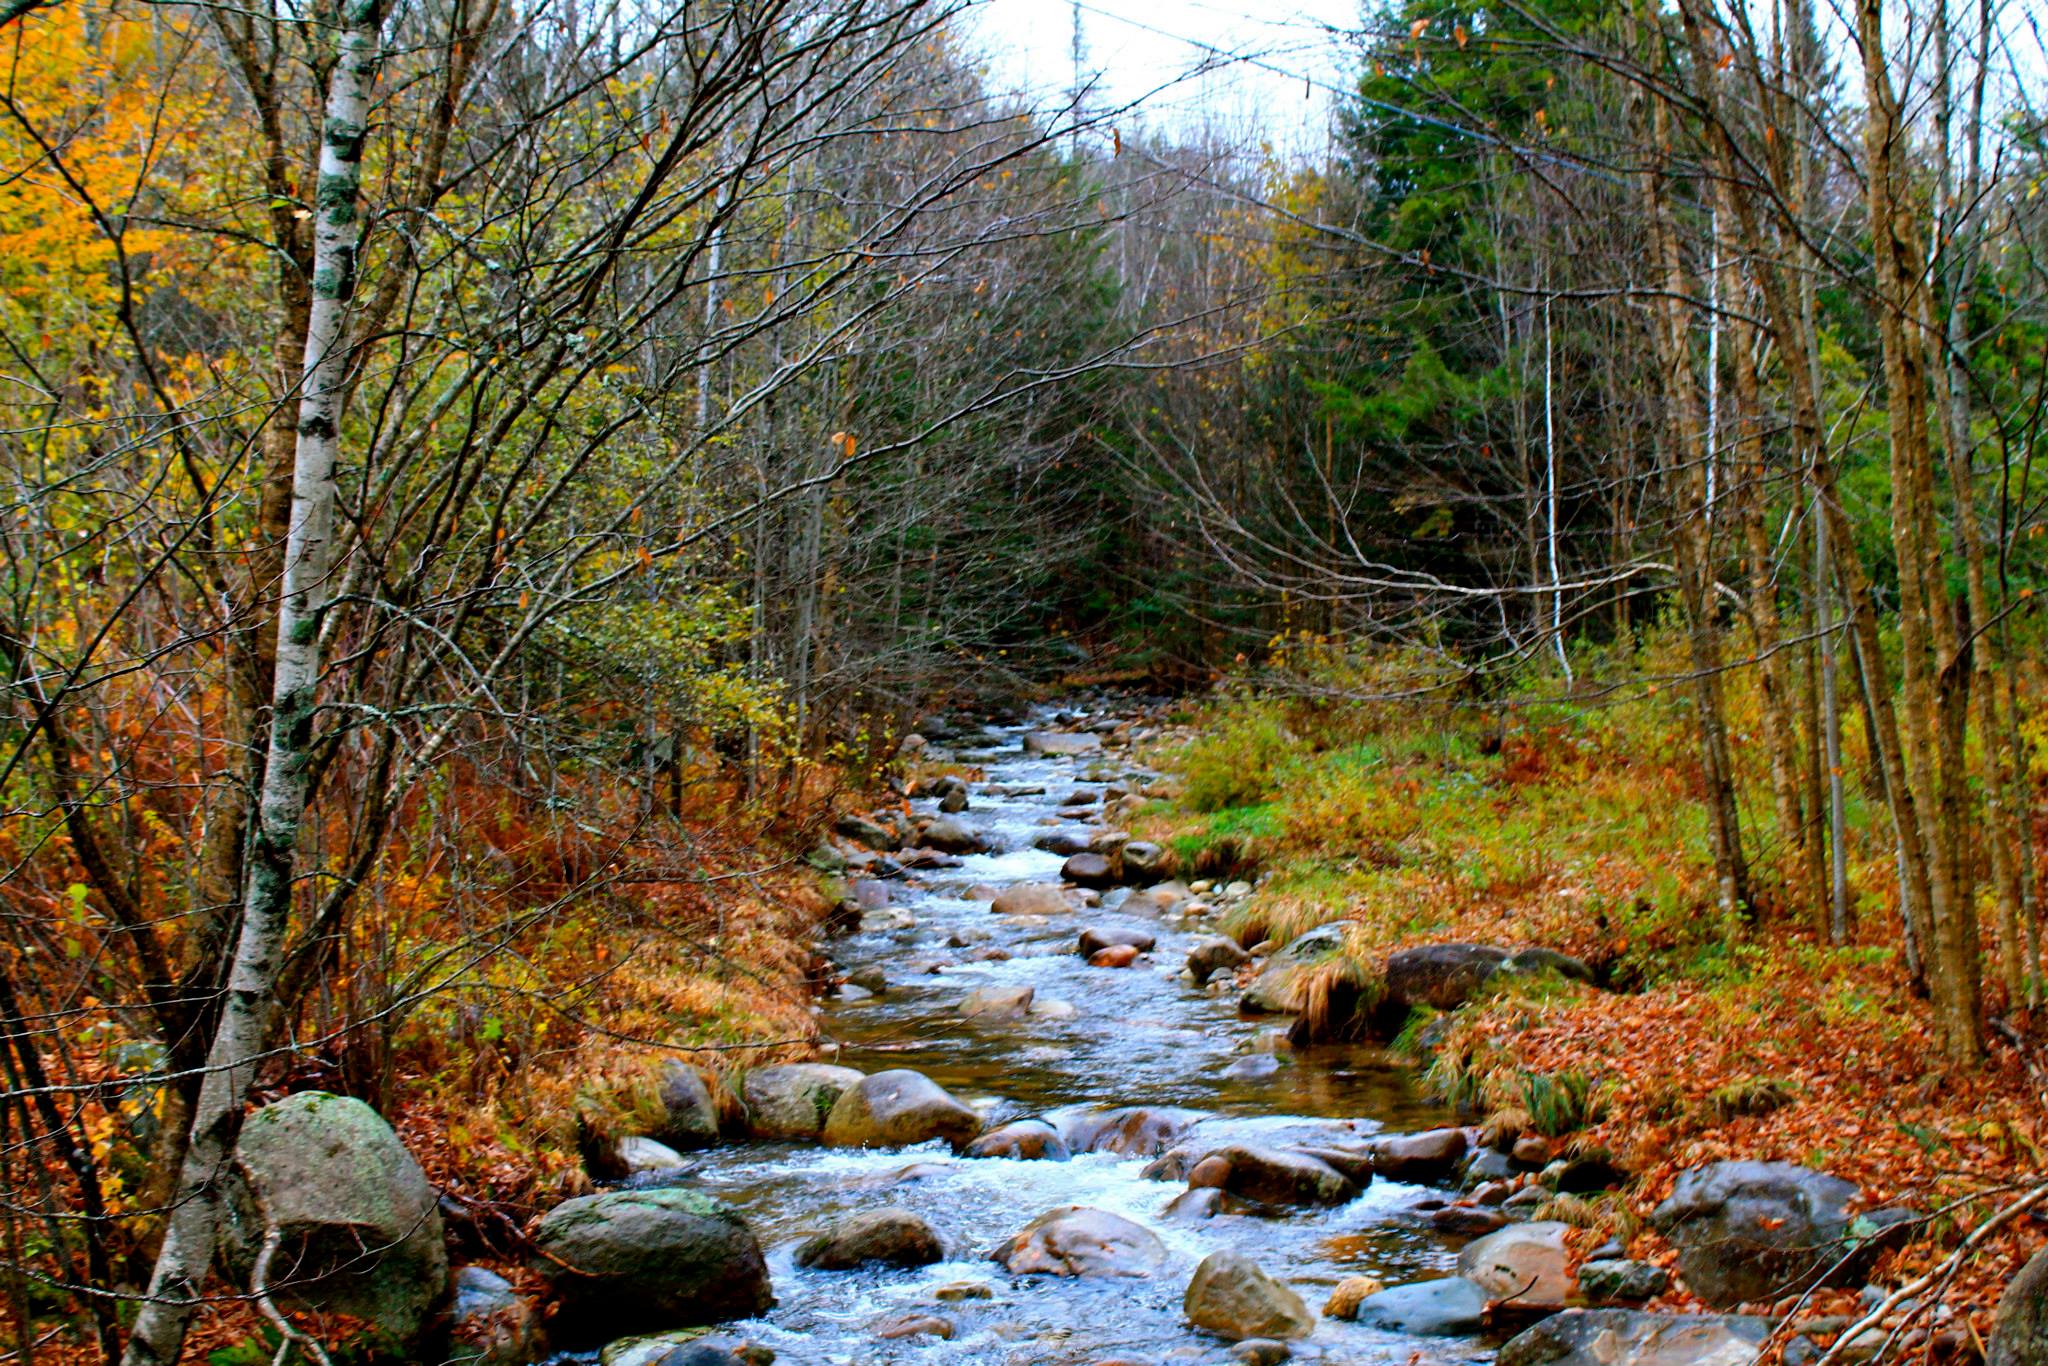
[{"x": 1054, "y": 1144}]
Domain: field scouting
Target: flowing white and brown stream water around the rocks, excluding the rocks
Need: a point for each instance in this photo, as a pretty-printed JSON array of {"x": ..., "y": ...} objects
[{"x": 1142, "y": 1035}]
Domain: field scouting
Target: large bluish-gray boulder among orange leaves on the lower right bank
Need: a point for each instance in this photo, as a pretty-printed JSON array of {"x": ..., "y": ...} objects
[{"x": 1752, "y": 1232}]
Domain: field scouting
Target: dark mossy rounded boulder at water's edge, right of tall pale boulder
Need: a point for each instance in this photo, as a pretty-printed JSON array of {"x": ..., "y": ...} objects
[{"x": 642, "y": 1261}]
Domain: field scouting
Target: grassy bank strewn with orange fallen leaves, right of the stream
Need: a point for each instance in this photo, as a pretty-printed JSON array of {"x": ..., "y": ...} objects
[{"x": 1580, "y": 828}]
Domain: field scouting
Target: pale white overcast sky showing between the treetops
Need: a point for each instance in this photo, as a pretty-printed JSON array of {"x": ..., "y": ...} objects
[{"x": 1285, "y": 58}]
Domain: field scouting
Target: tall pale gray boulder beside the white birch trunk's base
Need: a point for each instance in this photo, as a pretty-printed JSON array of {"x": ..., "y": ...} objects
[{"x": 357, "y": 1220}]
